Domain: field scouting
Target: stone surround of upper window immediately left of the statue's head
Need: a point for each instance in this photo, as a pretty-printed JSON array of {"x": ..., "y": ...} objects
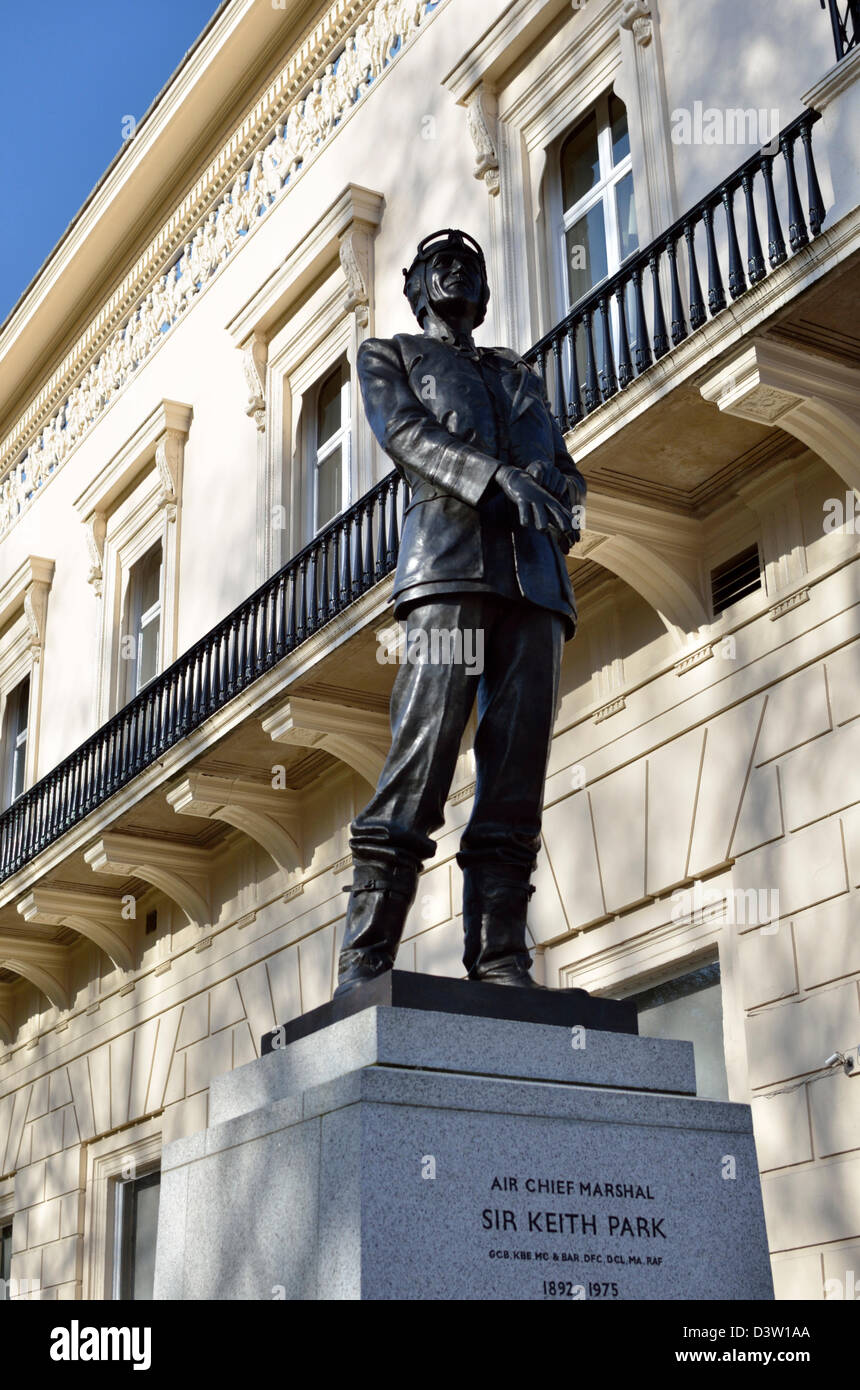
[{"x": 290, "y": 338}]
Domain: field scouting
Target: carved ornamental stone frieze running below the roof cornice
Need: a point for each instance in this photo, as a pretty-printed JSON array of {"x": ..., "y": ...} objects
[{"x": 311, "y": 122}]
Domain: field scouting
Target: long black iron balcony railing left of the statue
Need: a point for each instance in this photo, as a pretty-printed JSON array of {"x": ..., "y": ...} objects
[{"x": 345, "y": 561}]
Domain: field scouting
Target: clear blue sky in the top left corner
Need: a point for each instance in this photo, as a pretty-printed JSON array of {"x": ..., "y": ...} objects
[{"x": 70, "y": 73}]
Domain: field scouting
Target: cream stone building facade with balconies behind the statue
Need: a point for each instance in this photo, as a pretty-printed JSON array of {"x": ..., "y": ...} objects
[{"x": 198, "y": 536}]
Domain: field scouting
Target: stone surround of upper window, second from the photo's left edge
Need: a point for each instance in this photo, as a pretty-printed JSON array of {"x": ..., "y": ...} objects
[{"x": 131, "y": 505}]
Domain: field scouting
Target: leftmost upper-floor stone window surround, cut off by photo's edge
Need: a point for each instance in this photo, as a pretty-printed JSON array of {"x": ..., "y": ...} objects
[{"x": 23, "y": 612}]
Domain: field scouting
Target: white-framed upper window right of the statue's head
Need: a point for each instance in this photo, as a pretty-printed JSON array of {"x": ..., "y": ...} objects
[{"x": 598, "y": 226}]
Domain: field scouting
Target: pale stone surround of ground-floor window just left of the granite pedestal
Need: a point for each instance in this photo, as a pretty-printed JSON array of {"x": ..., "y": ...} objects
[{"x": 127, "y": 1154}]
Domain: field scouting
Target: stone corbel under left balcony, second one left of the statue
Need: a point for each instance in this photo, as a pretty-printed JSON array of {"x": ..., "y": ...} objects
[{"x": 270, "y": 818}]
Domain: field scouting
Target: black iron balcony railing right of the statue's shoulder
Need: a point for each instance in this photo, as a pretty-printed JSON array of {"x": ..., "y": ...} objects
[{"x": 612, "y": 336}]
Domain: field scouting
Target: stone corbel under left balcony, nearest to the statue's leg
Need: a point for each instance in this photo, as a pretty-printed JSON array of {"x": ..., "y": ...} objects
[{"x": 358, "y": 737}]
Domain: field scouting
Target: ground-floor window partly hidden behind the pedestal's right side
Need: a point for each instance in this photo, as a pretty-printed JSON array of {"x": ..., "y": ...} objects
[{"x": 690, "y": 1007}]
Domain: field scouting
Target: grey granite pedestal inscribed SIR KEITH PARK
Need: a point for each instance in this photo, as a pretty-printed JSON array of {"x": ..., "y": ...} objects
[{"x": 416, "y": 1153}]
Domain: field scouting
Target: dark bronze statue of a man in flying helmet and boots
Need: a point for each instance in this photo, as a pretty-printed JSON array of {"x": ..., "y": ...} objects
[{"x": 495, "y": 500}]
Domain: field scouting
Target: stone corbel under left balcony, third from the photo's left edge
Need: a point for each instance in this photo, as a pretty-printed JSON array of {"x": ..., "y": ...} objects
[{"x": 172, "y": 868}]
